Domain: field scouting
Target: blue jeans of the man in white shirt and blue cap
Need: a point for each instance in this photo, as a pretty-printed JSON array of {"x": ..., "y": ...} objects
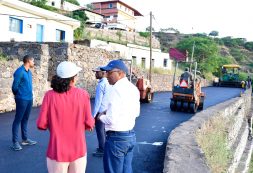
[{"x": 118, "y": 153}]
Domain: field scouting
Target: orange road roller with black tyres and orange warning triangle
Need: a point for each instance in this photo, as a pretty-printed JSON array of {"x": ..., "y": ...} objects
[{"x": 187, "y": 95}]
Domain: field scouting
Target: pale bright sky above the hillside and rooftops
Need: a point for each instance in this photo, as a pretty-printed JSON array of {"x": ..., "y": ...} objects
[{"x": 229, "y": 17}]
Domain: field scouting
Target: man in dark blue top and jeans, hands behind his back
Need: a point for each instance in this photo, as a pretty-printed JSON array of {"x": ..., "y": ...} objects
[{"x": 22, "y": 90}]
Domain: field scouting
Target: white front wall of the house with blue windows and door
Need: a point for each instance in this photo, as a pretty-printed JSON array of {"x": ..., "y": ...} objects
[{"x": 30, "y": 27}]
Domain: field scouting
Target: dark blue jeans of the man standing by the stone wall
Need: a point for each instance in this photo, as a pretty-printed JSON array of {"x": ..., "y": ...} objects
[{"x": 23, "y": 109}]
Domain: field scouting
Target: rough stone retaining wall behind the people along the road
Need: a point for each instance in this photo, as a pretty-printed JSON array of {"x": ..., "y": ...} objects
[{"x": 47, "y": 56}]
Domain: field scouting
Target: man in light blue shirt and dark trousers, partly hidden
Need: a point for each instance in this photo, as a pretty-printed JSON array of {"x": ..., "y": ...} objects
[{"x": 100, "y": 106}]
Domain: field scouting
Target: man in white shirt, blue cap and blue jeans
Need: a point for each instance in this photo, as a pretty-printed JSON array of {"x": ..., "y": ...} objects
[{"x": 119, "y": 120}]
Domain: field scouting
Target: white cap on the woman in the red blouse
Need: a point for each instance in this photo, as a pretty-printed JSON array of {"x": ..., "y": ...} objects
[{"x": 67, "y": 69}]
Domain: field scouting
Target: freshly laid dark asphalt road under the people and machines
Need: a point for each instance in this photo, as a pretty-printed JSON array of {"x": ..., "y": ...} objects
[{"x": 153, "y": 127}]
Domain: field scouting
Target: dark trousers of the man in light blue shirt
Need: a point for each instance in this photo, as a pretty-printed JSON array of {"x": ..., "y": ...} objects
[{"x": 100, "y": 129}]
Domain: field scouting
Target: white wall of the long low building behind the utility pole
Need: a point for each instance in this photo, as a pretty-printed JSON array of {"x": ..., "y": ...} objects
[{"x": 138, "y": 51}]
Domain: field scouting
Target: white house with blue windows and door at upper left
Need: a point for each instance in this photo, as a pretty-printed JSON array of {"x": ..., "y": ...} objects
[{"x": 21, "y": 21}]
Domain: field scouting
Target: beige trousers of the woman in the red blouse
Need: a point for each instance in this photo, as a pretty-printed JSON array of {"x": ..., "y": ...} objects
[{"x": 77, "y": 166}]
